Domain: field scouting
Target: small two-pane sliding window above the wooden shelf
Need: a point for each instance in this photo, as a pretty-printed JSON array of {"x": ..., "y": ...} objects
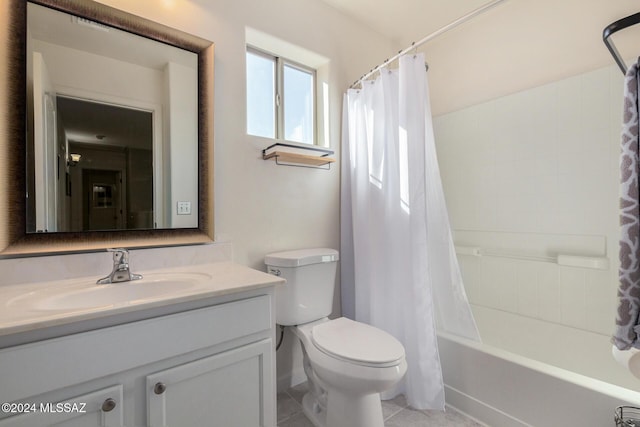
[{"x": 280, "y": 98}]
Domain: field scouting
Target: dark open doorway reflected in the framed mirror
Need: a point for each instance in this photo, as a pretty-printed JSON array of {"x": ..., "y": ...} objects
[{"x": 110, "y": 168}]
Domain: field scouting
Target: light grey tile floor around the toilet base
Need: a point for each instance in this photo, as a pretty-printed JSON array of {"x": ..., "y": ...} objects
[{"x": 396, "y": 413}]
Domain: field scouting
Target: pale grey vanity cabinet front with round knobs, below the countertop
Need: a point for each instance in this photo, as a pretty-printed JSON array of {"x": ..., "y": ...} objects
[{"x": 212, "y": 365}]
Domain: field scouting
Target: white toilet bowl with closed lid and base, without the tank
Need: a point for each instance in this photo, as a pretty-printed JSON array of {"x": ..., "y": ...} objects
[{"x": 351, "y": 364}]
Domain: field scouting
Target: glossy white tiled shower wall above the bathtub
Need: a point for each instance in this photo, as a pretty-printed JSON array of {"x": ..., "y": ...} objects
[{"x": 532, "y": 173}]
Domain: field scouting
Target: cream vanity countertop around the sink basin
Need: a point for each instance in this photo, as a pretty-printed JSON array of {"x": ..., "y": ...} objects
[{"x": 222, "y": 278}]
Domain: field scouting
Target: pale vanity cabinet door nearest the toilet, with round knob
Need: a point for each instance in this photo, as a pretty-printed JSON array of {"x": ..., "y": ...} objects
[{"x": 231, "y": 389}]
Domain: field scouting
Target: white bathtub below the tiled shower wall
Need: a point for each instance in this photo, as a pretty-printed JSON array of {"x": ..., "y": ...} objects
[{"x": 528, "y": 372}]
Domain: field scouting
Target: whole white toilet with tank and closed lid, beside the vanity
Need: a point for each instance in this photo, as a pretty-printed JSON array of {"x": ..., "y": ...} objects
[{"x": 347, "y": 363}]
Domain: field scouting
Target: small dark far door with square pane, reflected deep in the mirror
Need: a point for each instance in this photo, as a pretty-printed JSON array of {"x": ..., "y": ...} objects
[{"x": 102, "y": 199}]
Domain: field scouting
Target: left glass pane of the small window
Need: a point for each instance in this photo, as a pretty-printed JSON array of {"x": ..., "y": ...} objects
[{"x": 261, "y": 89}]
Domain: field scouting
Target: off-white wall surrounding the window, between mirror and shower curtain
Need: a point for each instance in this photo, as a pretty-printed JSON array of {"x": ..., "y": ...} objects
[{"x": 259, "y": 206}]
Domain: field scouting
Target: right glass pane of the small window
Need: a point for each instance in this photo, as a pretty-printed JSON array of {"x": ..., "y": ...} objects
[{"x": 298, "y": 105}]
